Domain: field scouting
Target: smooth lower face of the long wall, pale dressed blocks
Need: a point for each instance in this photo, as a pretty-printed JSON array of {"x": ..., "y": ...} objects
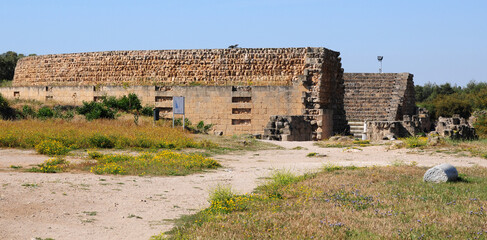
[{"x": 232, "y": 110}]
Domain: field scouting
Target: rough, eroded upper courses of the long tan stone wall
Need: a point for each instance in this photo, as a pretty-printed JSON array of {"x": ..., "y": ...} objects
[{"x": 241, "y": 66}]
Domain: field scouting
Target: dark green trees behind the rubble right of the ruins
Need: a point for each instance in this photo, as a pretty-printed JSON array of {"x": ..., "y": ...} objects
[{"x": 446, "y": 100}]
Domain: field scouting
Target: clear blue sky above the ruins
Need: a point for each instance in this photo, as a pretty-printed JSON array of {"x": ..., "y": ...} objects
[{"x": 437, "y": 40}]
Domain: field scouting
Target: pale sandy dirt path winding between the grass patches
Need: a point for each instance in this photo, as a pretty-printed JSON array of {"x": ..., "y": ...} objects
[{"x": 88, "y": 206}]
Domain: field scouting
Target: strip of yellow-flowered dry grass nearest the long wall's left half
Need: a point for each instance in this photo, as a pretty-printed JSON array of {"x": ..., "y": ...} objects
[{"x": 99, "y": 133}]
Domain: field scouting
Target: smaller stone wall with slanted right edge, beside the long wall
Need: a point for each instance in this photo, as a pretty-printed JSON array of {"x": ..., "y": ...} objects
[{"x": 378, "y": 96}]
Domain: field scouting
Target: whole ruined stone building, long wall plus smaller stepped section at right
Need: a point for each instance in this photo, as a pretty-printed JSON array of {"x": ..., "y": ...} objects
[{"x": 304, "y": 90}]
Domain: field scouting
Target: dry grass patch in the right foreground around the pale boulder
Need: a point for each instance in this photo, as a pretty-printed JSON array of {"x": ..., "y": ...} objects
[{"x": 364, "y": 203}]
